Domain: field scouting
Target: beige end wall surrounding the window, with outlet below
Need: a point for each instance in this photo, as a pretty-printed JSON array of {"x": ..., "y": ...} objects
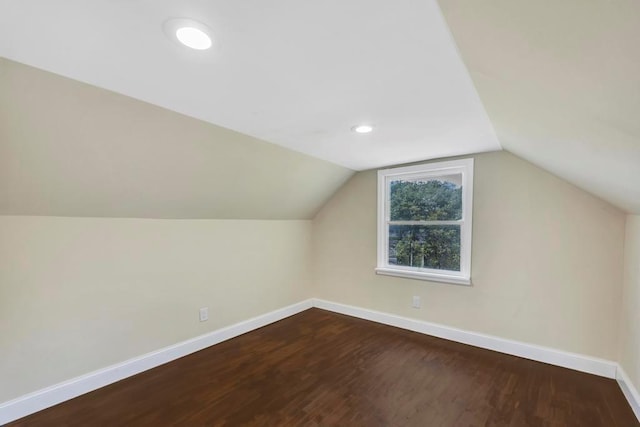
[{"x": 546, "y": 263}]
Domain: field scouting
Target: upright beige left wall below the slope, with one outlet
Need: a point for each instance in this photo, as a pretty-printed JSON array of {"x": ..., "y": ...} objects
[{"x": 78, "y": 294}]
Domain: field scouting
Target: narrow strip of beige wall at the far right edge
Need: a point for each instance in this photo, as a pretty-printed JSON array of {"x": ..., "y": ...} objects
[{"x": 630, "y": 322}]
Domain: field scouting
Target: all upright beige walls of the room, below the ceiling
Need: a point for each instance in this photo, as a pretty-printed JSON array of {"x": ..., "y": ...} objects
[{"x": 79, "y": 294}]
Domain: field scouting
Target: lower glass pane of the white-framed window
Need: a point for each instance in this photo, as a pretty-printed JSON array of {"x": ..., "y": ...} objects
[{"x": 425, "y": 246}]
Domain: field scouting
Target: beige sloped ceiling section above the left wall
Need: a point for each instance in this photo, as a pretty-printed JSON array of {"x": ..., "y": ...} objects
[{"x": 70, "y": 149}]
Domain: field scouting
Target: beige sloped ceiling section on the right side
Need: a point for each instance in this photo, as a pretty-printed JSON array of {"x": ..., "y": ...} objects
[{"x": 561, "y": 84}]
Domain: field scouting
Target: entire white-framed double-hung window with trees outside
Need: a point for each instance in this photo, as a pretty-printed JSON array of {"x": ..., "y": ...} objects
[{"x": 424, "y": 221}]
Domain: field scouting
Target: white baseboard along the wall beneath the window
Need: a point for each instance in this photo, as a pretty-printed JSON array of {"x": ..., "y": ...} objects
[{"x": 578, "y": 362}]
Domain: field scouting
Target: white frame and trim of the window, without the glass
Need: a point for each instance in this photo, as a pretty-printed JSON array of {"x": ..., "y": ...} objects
[{"x": 428, "y": 170}]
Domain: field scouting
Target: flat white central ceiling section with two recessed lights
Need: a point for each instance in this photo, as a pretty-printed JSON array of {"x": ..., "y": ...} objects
[{"x": 296, "y": 73}]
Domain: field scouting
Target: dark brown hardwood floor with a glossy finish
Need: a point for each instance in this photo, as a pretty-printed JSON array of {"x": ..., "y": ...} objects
[{"x": 323, "y": 369}]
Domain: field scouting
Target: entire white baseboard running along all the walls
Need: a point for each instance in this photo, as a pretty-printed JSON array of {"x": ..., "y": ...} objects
[{"x": 47, "y": 397}]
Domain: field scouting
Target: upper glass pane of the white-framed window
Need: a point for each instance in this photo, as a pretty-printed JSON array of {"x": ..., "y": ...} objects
[{"x": 426, "y": 199}]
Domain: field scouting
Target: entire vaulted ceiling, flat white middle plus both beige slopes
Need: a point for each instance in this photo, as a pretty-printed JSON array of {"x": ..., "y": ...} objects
[{"x": 557, "y": 84}]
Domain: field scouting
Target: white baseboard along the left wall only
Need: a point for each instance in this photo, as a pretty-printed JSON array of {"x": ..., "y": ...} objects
[{"x": 47, "y": 397}]
